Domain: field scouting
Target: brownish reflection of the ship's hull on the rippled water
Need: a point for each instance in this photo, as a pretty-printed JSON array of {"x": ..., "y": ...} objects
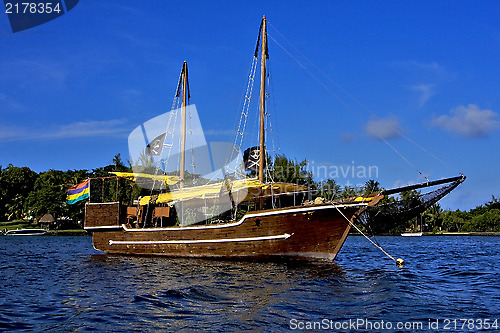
[{"x": 238, "y": 292}]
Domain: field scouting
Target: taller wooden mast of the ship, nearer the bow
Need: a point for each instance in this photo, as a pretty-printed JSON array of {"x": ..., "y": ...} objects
[{"x": 262, "y": 154}]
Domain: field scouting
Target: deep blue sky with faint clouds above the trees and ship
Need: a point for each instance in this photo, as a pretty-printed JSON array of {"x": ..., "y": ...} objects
[{"x": 422, "y": 75}]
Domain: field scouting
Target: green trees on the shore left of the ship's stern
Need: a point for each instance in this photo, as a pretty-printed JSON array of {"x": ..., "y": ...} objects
[{"x": 28, "y": 195}]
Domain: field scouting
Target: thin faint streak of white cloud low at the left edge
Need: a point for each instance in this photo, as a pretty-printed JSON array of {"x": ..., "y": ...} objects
[{"x": 74, "y": 130}]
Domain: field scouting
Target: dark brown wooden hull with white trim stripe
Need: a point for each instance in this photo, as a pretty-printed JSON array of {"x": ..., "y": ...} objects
[{"x": 307, "y": 232}]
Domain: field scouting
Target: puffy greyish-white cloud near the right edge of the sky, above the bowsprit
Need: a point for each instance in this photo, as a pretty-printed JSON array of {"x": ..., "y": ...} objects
[{"x": 469, "y": 121}]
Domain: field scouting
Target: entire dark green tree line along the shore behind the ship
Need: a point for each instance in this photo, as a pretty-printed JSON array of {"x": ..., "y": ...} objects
[{"x": 26, "y": 194}]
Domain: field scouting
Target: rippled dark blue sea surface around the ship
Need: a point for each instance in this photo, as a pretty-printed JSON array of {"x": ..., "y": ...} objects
[{"x": 61, "y": 284}]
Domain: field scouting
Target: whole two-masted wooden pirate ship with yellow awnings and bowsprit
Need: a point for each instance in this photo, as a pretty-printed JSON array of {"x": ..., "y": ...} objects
[{"x": 257, "y": 218}]
